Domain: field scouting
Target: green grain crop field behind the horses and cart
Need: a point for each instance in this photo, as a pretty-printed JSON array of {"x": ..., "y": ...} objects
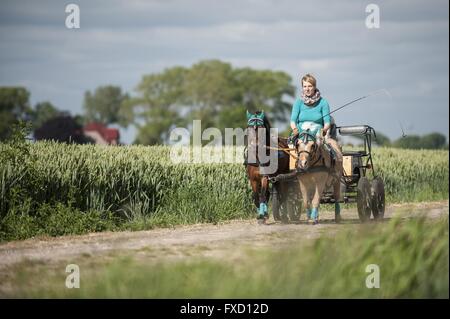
[{"x": 56, "y": 189}]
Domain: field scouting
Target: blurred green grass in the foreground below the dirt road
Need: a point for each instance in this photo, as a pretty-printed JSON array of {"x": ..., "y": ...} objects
[{"x": 412, "y": 257}]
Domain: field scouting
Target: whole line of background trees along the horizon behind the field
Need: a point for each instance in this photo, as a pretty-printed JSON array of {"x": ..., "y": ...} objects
[{"x": 211, "y": 91}]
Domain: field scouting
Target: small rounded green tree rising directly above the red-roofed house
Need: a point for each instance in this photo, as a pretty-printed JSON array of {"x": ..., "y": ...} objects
[{"x": 105, "y": 106}]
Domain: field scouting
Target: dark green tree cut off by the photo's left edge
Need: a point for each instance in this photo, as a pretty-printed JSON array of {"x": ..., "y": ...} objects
[{"x": 14, "y": 106}]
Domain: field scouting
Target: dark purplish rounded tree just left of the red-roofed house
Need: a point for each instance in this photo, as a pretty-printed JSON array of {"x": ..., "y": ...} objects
[{"x": 62, "y": 128}]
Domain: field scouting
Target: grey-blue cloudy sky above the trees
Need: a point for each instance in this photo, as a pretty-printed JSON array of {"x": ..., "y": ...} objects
[{"x": 118, "y": 42}]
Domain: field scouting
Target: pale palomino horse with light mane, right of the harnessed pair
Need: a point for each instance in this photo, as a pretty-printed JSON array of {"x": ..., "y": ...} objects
[{"x": 319, "y": 172}]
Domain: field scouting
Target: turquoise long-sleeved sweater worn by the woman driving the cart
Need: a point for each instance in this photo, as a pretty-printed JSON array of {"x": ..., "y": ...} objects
[{"x": 310, "y": 117}]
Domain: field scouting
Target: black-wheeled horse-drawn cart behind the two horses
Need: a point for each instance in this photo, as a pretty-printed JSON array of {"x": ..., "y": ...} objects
[{"x": 356, "y": 186}]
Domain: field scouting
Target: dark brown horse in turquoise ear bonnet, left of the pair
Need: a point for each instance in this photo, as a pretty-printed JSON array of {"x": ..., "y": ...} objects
[{"x": 262, "y": 156}]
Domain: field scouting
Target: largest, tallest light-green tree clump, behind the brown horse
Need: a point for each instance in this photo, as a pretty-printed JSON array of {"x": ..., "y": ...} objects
[{"x": 211, "y": 91}]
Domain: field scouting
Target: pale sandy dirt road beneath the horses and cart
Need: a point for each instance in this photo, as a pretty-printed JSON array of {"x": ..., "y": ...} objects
[{"x": 199, "y": 240}]
